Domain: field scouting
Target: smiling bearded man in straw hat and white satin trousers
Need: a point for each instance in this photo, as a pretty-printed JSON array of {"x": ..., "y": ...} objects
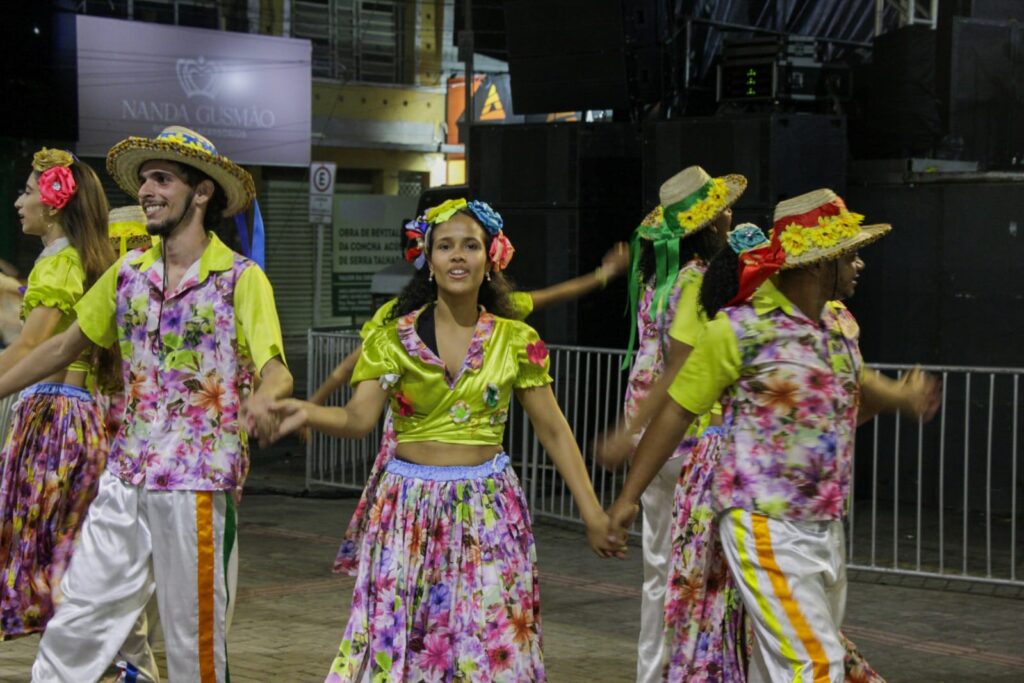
[{"x": 195, "y": 322}]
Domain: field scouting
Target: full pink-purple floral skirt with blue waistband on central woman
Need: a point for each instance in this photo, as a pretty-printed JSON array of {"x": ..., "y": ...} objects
[{"x": 448, "y": 583}]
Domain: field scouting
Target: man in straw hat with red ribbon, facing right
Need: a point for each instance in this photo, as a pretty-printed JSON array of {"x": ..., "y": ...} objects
[{"x": 788, "y": 369}]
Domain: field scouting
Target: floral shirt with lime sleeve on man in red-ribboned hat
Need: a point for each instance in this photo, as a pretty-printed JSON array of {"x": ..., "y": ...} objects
[{"x": 790, "y": 391}]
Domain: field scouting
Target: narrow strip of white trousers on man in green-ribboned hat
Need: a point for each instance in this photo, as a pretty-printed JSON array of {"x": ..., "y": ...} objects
[{"x": 659, "y": 502}]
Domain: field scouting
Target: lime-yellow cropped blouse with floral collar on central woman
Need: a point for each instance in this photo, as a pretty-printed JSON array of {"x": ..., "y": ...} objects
[{"x": 431, "y": 403}]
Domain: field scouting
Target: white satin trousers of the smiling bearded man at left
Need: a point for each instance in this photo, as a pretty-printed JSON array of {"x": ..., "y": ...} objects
[{"x": 180, "y": 543}]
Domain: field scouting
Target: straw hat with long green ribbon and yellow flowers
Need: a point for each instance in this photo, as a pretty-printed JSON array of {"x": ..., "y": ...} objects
[{"x": 691, "y": 201}]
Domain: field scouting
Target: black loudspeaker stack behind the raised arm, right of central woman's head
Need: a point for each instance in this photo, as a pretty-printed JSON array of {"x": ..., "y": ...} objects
[{"x": 568, "y": 192}]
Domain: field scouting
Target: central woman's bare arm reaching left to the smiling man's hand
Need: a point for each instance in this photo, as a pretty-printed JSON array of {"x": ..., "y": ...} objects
[{"x": 354, "y": 421}]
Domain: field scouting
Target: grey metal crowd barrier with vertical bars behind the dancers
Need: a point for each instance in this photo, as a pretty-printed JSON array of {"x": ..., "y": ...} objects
[{"x": 936, "y": 500}]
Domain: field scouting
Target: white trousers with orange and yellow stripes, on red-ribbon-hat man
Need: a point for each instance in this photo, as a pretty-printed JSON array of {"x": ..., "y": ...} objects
[{"x": 792, "y": 576}]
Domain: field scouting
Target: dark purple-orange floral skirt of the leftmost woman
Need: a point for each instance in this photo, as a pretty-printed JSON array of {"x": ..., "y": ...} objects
[{"x": 53, "y": 460}]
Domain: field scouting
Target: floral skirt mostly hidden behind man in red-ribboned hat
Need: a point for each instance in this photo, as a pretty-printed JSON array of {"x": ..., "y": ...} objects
[{"x": 709, "y": 639}]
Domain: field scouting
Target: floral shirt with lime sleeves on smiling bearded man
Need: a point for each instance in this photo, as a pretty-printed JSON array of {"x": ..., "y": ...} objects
[{"x": 189, "y": 358}]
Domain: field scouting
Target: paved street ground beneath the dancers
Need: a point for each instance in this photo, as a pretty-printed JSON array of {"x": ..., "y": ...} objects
[{"x": 292, "y": 610}]
